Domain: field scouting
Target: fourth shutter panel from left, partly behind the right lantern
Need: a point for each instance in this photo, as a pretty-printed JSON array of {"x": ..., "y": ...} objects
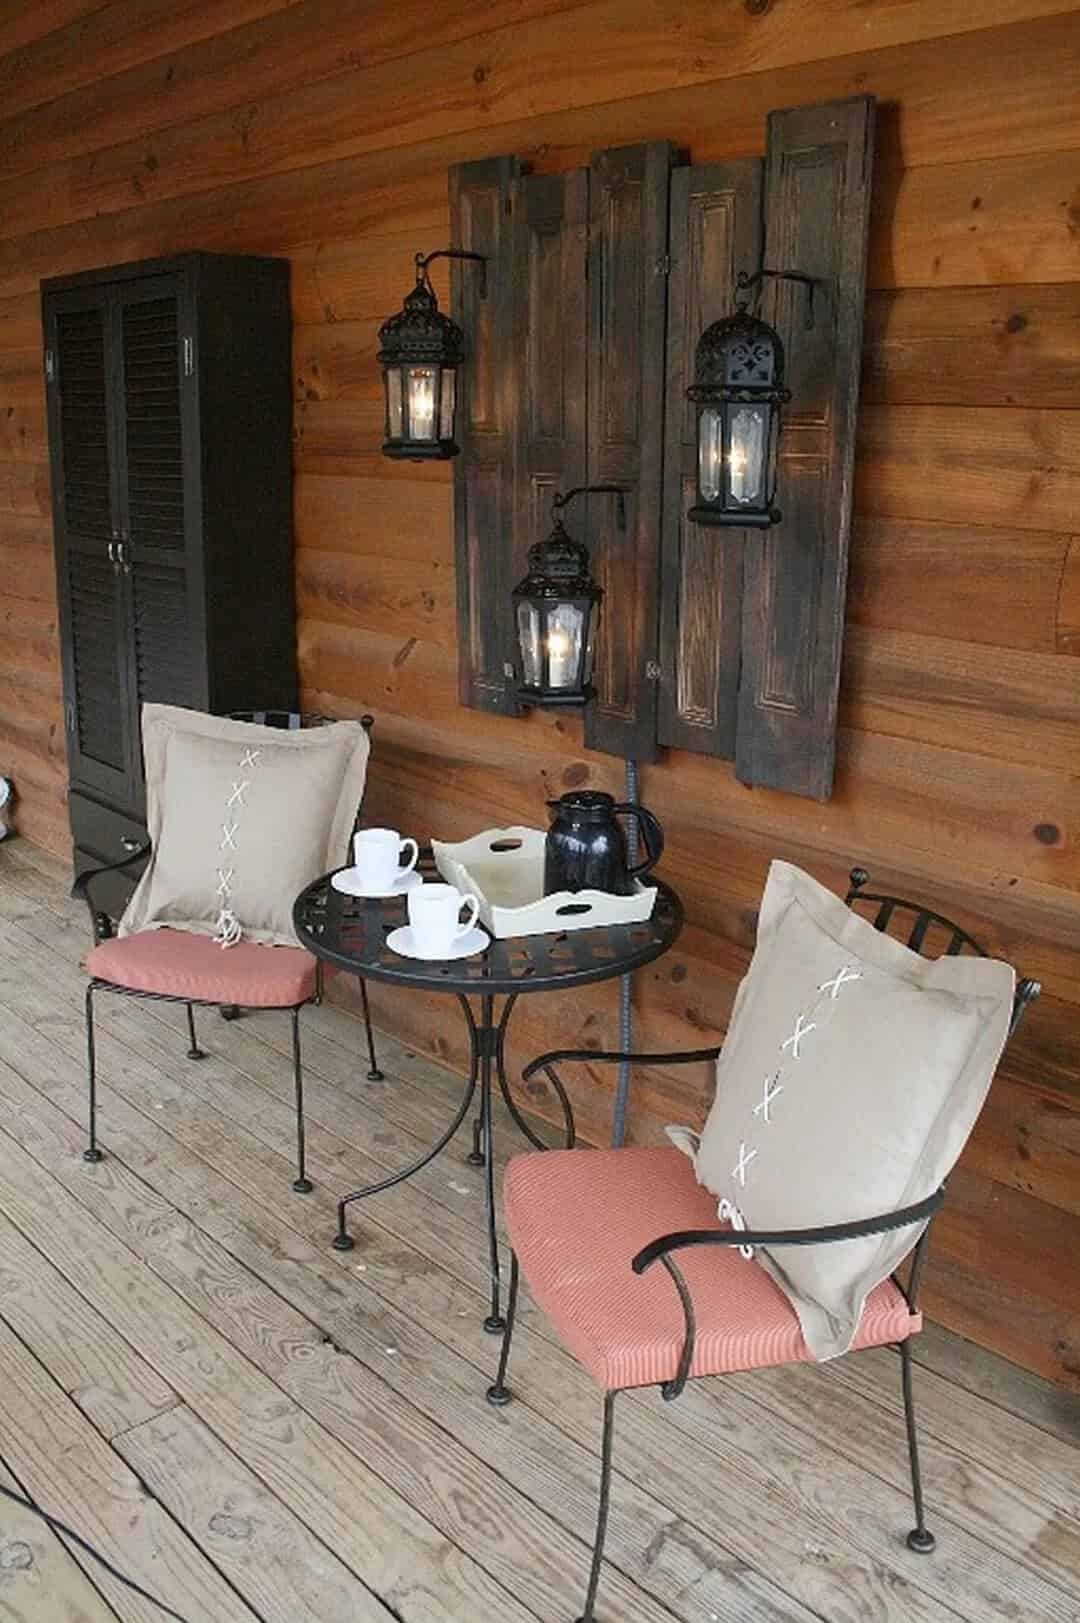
[{"x": 715, "y": 233}]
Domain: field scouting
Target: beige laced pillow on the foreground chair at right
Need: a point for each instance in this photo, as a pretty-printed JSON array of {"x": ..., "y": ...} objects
[{"x": 850, "y": 1080}]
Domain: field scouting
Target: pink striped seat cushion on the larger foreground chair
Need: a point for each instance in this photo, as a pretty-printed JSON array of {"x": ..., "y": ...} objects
[{"x": 577, "y": 1218}]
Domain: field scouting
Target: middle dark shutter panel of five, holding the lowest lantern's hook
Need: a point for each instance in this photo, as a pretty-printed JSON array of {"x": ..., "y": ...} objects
[{"x": 626, "y": 423}]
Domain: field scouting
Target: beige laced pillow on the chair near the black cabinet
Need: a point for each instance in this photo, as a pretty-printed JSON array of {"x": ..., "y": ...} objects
[{"x": 243, "y": 819}]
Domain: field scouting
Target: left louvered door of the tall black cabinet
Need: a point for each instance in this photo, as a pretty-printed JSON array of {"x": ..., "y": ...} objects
[{"x": 87, "y": 528}]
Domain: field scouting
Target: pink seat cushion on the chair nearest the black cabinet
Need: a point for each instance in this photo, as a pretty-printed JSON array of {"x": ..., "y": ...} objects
[{"x": 183, "y": 965}]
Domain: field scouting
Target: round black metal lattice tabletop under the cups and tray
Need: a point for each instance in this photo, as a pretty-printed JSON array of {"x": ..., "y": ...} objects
[{"x": 352, "y": 934}]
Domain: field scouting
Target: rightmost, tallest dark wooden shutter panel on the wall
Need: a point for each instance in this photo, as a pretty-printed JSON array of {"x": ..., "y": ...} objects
[{"x": 818, "y": 187}]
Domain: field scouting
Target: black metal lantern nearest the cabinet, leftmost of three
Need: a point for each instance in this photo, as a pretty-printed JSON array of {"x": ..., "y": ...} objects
[{"x": 421, "y": 351}]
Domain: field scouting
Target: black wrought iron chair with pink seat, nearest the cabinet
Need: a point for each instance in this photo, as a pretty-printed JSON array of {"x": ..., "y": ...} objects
[{"x": 257, "y": 978}]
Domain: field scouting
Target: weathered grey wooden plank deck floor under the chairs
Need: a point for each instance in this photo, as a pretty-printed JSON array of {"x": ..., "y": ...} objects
[{"x": 256, "y": 1427}]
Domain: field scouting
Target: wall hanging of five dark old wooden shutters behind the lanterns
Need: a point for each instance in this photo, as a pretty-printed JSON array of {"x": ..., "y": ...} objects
[{"x": 600, "y": 285}]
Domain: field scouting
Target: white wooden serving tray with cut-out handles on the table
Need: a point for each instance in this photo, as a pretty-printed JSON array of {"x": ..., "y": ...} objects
[{"x": 504, "y": 869}]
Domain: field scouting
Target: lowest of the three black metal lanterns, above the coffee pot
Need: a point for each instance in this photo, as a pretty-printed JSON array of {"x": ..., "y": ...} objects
[{"x": 556, "y": 609}]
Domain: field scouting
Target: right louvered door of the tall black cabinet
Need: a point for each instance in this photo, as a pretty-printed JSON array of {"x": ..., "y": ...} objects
[{"x": 157, "y": 467}]
